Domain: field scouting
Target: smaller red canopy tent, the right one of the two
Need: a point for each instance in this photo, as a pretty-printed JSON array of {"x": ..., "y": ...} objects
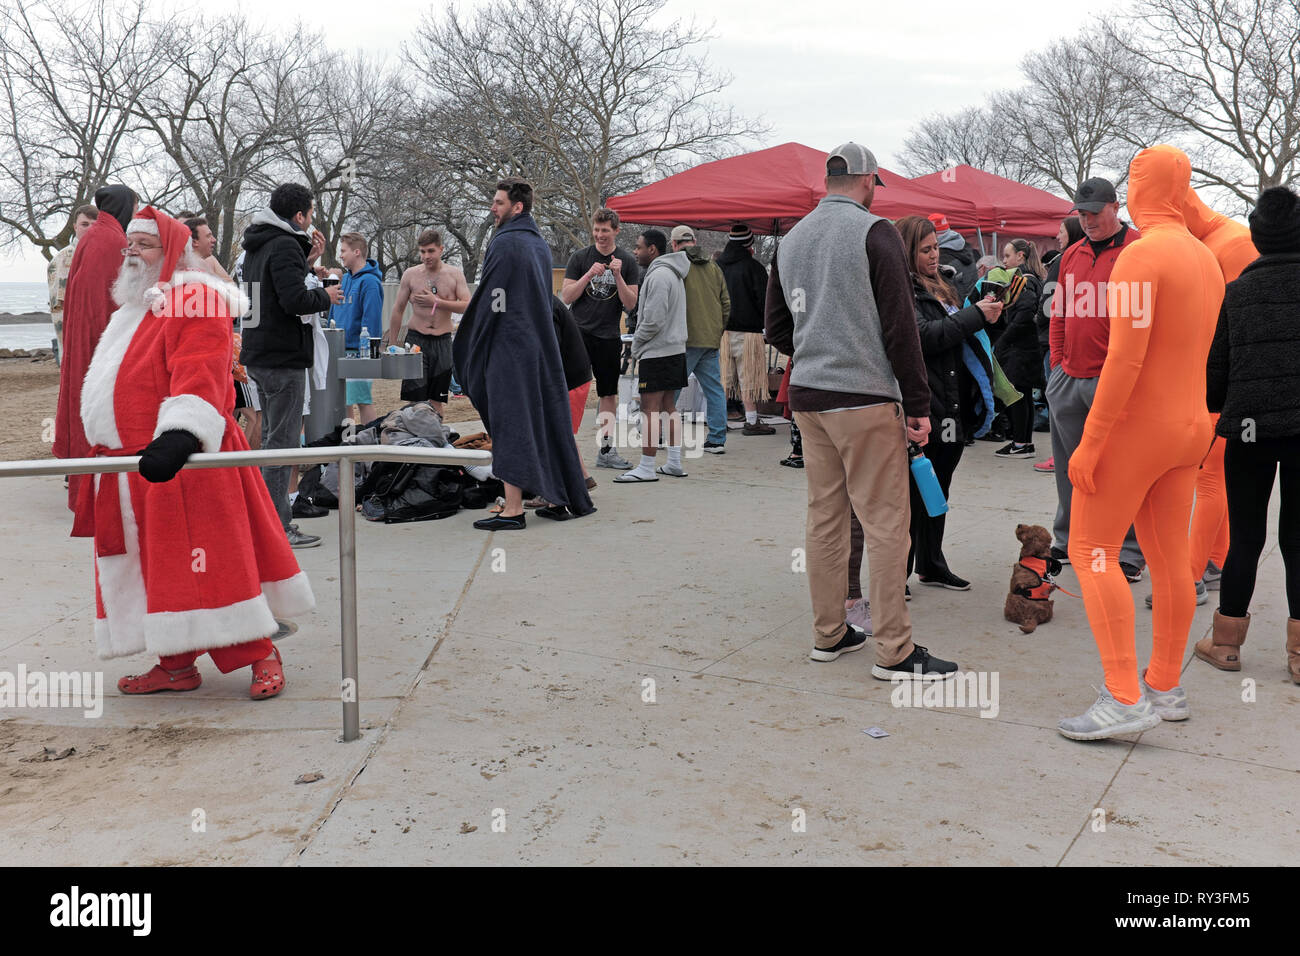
[{"x": 1004, "y": 207}]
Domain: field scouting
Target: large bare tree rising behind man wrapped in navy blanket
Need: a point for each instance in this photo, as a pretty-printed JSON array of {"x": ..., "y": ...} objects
[{"x": 590, "y": 94}]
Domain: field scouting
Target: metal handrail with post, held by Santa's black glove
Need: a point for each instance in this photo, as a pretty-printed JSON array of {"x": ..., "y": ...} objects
[{"x": 350, "y": 686}]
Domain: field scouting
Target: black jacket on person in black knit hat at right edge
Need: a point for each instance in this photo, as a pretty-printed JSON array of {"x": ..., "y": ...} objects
[{"x": 1254, "y": 369}]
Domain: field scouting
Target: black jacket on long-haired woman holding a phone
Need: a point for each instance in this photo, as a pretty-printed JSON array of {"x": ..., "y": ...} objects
[{"x": 954, "y": 392}]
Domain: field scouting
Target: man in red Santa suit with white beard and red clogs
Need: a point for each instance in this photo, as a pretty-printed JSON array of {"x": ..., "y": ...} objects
[{"x": 187, "y": 563}]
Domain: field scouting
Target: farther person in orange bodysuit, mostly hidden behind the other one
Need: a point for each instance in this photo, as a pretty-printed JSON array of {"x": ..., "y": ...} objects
[{"x": 1230, "y": 243}]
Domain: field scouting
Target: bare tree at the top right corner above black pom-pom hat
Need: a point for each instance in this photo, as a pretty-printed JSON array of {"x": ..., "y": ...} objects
[{"x": 1227, "y": 75}]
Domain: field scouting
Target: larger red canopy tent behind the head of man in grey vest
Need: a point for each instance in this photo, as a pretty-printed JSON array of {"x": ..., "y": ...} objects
[{"x": 769, "y": 191}]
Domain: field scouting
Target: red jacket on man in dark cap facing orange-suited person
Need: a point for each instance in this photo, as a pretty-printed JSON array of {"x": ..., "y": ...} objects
[{"x": 1081, "y": 327}]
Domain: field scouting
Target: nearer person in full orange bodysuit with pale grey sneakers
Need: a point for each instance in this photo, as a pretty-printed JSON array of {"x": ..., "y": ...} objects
[{"x": 1146, "y": 435}]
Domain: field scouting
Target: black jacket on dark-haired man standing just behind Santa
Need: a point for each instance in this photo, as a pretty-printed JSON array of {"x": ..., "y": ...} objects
[{"x": 276, "y": 261}]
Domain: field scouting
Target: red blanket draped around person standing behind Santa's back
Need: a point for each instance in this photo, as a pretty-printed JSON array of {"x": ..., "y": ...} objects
[{"x": 88, "y": 306}]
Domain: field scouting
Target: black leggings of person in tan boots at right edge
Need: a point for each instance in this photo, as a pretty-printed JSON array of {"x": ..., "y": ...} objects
[{"x": 1249, "y": 473}]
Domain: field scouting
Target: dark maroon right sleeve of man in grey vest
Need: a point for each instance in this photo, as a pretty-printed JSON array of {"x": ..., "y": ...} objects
[{"x": 891, "y": 282}]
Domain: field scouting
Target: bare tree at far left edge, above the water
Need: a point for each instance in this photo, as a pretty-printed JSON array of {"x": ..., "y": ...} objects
[{"x": 71, "y": 76}]
